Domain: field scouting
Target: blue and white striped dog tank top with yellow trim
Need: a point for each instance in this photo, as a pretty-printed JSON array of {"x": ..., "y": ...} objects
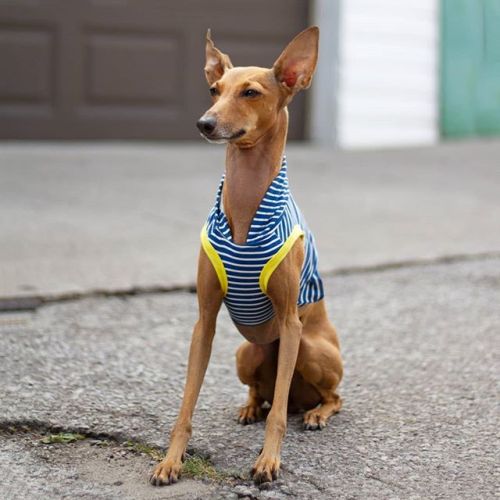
[{"x": 244, "y": 270}]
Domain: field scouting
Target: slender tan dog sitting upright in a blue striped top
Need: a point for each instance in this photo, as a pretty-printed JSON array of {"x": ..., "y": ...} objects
[{"x": 291, "y": 359}]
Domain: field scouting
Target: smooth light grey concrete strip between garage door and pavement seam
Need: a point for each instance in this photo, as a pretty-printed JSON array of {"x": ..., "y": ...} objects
[{"x": 77, "y": 218}]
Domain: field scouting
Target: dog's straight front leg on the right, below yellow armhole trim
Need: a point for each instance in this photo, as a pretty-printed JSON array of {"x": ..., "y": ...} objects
[{"x": 283, "y": 290}]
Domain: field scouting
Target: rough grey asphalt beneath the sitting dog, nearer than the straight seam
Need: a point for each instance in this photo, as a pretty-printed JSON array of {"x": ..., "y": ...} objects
[{"x": 420, "y": 415}]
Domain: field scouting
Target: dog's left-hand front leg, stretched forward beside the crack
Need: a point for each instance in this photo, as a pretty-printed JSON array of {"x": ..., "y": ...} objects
[{"x": 210, "y": 299}]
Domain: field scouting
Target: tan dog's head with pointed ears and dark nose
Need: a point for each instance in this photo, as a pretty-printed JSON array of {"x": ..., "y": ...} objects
[{"x": 247, "y": 100}]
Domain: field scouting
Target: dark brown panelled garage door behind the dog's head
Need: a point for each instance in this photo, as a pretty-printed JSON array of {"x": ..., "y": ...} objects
[{"x": 128, "y": 69}]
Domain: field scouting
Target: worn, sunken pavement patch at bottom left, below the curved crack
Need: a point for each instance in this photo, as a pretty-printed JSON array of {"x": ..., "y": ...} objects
[{"x": 93, "y": 469}]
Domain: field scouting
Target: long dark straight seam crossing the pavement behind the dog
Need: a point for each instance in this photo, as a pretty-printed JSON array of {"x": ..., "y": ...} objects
[{"x": 33, "y": 302}]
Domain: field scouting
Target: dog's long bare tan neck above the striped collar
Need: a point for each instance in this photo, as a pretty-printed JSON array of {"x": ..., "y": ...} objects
[{"x": 249, "y": 173}]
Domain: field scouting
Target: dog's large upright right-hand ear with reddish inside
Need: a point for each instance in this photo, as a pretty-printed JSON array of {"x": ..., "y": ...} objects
[{"x": 295, "y": 66}]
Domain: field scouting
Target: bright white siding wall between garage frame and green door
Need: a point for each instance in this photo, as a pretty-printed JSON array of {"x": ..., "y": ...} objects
[{"x": 388, "y": 73}]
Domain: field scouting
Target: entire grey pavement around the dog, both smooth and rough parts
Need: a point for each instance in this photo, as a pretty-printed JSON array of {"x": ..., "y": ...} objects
[{"x": 410, "y": 242}]
